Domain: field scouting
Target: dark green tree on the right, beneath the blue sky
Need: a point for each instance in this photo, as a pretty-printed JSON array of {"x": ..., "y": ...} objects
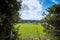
[{"x": 53, "y": 18}]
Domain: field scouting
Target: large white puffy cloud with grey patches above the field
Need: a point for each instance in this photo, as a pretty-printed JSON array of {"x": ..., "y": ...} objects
[{"x": 31, "y": 10}]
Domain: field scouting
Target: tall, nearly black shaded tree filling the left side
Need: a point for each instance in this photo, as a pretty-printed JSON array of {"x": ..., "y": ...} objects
[{"x": 8, "y": 17}]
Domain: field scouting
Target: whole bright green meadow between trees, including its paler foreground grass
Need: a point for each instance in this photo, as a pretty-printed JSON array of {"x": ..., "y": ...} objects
[{"x": 31, "y": 30}]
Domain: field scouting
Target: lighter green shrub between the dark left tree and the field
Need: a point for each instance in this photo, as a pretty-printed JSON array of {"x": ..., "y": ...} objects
[{"x": 15, "y": 32}]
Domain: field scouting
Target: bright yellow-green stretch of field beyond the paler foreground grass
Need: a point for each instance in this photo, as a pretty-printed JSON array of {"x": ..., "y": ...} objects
[{"x": 30, "y": 29}]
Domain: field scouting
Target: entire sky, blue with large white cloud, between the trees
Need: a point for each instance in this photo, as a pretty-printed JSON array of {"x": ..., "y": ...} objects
[{"x": 32, "y": 9}]
